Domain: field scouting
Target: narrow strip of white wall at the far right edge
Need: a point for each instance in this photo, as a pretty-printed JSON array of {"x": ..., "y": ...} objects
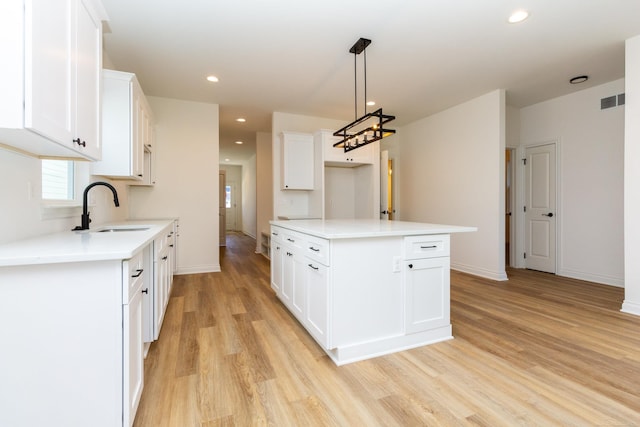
[{"x": 632, "y": 178}]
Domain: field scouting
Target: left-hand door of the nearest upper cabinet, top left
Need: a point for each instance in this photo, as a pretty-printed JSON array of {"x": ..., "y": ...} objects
[{"x": 49, "y": 70}]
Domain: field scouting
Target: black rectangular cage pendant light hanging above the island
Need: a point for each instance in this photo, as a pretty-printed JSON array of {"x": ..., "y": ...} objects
[{"x": 369, "y": 127}]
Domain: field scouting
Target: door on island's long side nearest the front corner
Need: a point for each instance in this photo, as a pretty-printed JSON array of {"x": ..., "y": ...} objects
[{"x": 317, "y": 297}]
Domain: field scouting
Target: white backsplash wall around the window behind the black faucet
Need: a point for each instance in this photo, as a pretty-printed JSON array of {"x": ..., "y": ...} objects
[{"x": 22, "y": 215}]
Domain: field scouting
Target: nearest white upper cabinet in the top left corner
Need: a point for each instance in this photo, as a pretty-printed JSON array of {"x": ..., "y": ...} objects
[{"x": 50, "y": 78}]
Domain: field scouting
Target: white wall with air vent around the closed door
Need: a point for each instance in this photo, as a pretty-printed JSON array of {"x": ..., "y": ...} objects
[{"x": 590, "y": 180}]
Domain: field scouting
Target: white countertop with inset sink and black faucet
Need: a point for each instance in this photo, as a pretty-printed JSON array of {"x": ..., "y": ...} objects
[{"x": 80, "y": 246}]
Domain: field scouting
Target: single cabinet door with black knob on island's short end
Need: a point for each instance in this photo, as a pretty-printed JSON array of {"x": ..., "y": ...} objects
[{"x": 427, "y": 294}]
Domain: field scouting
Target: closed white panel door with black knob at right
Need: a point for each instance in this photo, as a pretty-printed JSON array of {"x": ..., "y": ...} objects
[{"x": 540, "y": 208}]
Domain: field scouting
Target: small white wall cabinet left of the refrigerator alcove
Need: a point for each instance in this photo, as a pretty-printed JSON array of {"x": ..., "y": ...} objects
[{"x": 297, "y": 161}]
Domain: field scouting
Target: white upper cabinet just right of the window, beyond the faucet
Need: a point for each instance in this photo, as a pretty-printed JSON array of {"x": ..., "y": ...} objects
[{"x": 127, "y": 130}]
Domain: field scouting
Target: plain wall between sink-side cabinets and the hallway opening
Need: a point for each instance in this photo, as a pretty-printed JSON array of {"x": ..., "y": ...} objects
[{"x": 186, "y": 187}]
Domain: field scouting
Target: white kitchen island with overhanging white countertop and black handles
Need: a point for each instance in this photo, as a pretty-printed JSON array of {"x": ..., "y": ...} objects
[{"x": 364, "y": 288}]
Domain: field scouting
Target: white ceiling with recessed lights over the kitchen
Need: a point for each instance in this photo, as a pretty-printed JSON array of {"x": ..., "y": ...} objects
[{"x": 425, "y": 56}]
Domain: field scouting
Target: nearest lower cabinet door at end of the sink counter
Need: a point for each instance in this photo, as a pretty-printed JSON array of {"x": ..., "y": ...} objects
[{"x": 133, "y": 357}]
